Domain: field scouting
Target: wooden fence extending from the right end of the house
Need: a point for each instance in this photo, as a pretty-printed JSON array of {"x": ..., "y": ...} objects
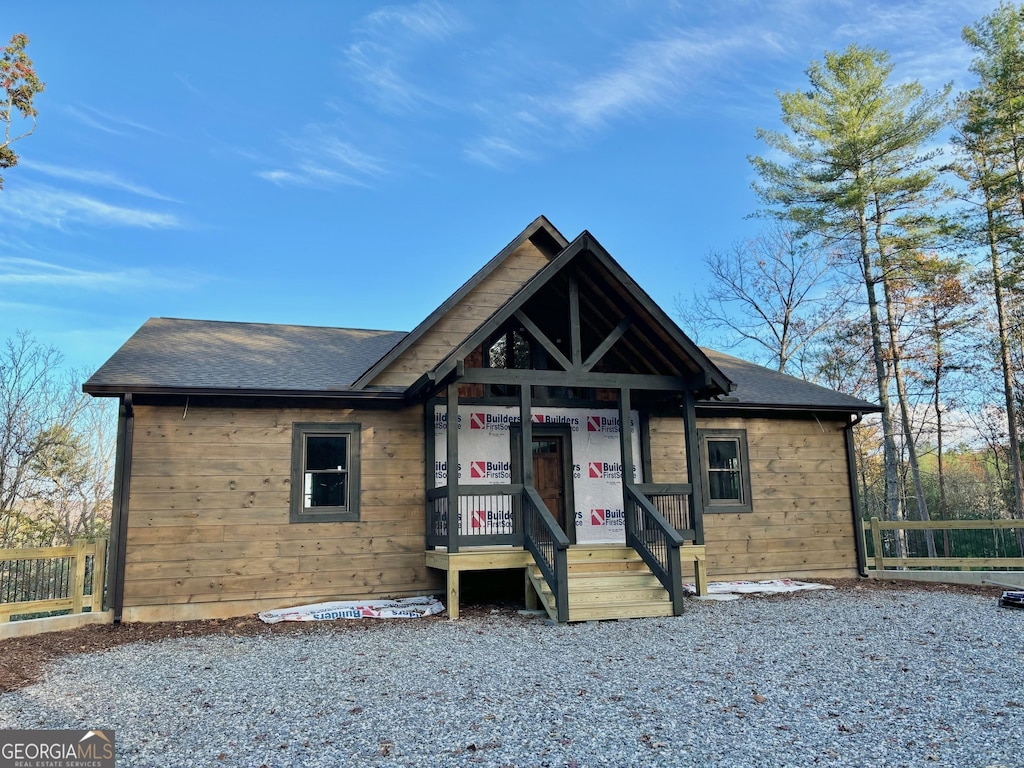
[{"x": 965, "y": 544}]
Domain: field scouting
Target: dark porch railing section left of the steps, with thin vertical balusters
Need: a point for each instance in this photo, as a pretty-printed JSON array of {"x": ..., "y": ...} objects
[{"x": 488, "y": 516}]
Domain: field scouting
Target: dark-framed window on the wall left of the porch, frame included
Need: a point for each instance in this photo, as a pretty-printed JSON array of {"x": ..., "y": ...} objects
[{"x": 325, "y": 473}]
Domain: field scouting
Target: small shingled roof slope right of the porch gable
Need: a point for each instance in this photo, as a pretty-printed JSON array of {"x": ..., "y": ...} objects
[{"x": 760, "y": 388}]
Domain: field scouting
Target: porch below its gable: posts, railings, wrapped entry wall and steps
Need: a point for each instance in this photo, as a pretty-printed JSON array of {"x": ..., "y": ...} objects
[{"x": 634, "y": 558}]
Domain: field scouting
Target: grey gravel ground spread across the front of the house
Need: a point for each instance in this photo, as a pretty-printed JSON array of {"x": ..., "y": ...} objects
[{"x": 838, "y": 678}]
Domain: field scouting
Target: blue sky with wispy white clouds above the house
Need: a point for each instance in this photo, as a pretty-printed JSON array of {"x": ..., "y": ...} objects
[{"x": 352, "y": 164}]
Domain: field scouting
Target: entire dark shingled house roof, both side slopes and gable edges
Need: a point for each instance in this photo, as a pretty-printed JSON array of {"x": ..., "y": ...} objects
[{"x": 188, "y": 357}]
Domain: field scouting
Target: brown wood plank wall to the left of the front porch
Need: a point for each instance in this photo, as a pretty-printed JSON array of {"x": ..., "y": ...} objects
[{"x": 208, "y": 526}]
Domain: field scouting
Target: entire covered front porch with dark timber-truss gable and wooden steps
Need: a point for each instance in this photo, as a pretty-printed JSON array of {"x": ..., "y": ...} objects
[{"x": 538, "y": 447}]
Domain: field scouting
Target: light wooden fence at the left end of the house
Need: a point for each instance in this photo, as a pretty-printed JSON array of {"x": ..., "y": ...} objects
[{"x": 51, "y": 579}]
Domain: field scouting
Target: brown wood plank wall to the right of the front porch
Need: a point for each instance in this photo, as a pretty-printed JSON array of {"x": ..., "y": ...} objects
[{"x": 801, "y": 525}]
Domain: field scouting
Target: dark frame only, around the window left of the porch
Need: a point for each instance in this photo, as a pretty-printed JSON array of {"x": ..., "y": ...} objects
[{"x": 351, "y": 511}]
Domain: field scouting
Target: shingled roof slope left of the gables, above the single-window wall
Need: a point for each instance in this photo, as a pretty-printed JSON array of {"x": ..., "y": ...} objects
[{"x": 187, "y": 356}]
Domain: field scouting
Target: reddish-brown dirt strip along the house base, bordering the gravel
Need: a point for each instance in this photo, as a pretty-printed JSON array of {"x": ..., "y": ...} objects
[{"x": 23, "y": 661}]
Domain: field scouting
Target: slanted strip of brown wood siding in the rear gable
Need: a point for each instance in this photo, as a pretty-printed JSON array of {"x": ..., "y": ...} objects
[{"x": 451, "y": 330}]
